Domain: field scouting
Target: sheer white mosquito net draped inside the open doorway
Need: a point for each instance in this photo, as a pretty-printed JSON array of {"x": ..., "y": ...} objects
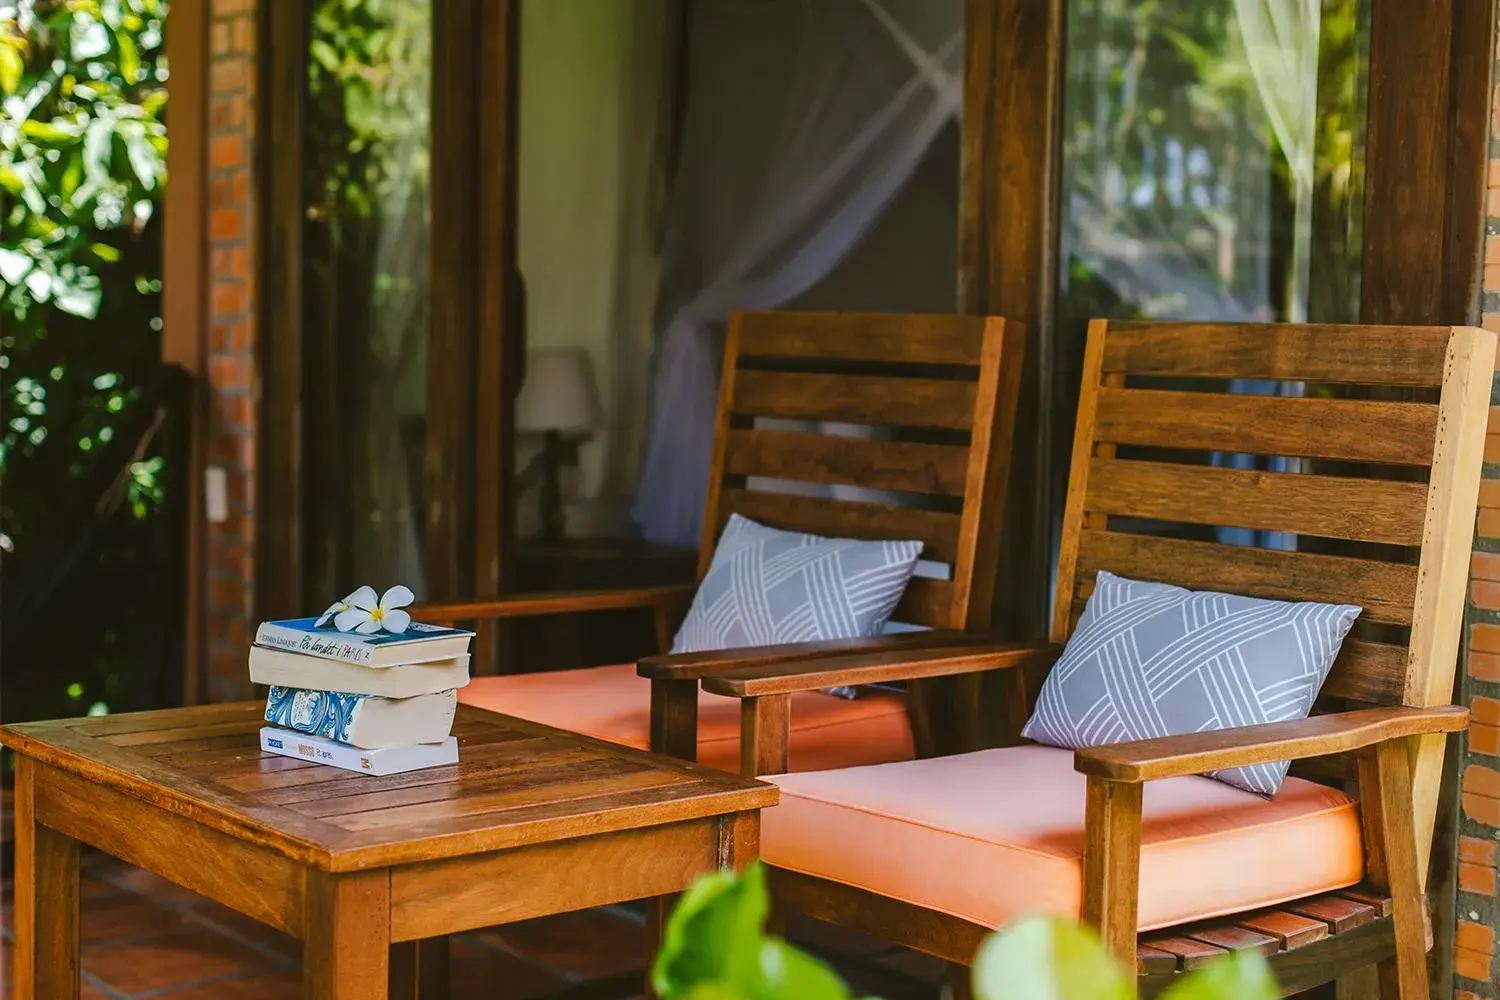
[{"x": 803, "y": 121}]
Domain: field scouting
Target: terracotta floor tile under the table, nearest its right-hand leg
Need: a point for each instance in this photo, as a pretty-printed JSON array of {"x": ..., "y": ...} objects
[{"x": 589, "y": 944}]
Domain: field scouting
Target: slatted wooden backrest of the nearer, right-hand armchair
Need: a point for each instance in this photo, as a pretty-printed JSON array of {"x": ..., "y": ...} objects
[{"x": 1399, "y": 478}]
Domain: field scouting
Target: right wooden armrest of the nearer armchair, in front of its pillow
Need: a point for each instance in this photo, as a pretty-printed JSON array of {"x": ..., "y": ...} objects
[{"x": 1316, "y": 737}]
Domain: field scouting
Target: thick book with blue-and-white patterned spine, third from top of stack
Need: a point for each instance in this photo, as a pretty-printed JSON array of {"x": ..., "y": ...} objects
[{"x": 364, "y": 720}]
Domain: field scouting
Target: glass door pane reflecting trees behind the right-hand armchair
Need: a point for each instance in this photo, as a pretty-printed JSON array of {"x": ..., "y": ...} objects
[{"x": 1213, "y": 170}]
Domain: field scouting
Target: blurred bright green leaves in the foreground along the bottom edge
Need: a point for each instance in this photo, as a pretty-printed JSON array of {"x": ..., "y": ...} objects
[{"x": 716, "y": 950}]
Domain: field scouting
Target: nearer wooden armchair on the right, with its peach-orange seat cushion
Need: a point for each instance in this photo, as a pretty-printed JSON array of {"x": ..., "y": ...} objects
[{"x": 1172, "y": 867}]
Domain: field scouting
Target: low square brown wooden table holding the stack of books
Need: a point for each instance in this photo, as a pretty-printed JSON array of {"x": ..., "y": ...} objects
[{"x": 373, "y": 873}]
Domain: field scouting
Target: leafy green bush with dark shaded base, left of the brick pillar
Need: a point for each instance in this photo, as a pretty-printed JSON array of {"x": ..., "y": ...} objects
[{"x": 83, "y": 172}]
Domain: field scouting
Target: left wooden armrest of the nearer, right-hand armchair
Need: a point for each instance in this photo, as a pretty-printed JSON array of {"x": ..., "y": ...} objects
[{"x": 812, "y": 675}]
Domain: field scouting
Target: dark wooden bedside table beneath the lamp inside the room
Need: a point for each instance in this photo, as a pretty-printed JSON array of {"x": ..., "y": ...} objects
[{"x": 566, "y": 642}]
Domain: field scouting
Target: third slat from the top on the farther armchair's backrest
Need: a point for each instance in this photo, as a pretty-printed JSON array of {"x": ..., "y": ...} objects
[{"x": 818, "y": 458}]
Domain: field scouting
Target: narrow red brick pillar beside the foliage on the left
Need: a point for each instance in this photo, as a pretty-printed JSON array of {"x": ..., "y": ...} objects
[{"x": 232, "y": 352}]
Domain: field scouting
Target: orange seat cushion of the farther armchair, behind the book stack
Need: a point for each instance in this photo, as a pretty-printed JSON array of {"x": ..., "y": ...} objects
[{"x": 614, "y": 704}]
